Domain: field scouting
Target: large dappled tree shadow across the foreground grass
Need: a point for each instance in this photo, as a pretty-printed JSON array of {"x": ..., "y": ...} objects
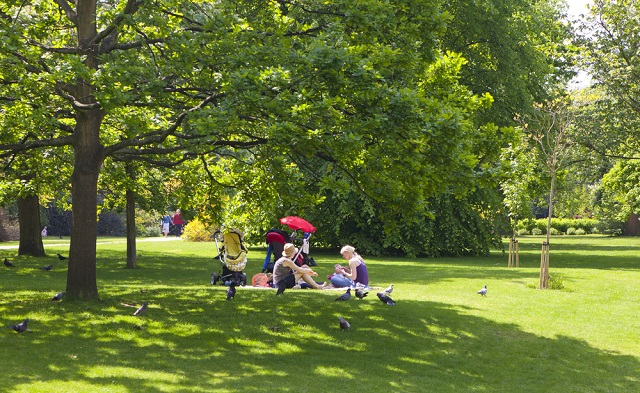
[{"x": 195, "y": 341}]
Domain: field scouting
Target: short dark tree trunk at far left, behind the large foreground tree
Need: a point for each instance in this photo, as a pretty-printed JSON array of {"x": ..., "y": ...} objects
[{"x": 30, "y": 234}]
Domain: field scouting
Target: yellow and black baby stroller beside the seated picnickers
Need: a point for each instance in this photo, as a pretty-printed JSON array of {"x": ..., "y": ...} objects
[{"x": 233, "y": 257}]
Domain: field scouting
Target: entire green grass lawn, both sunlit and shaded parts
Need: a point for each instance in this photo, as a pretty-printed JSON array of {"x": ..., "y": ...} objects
[{"x": 441, "y": 336}]
